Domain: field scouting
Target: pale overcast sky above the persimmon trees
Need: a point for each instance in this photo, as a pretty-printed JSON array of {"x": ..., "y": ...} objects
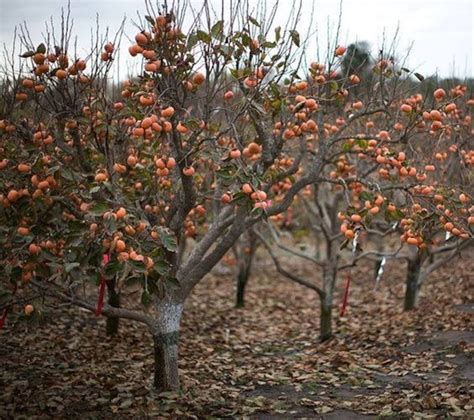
[{"x": 441, "y": 30}]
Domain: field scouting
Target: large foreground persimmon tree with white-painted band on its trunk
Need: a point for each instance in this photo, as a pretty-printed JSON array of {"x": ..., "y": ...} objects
[{"x": 99, "y": 194}]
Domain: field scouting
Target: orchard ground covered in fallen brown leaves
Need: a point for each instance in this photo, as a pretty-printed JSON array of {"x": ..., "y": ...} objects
[{"x": 263, "y": 361}]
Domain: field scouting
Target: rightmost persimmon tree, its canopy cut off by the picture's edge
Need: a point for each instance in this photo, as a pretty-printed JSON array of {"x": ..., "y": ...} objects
[{"x": 450, "y": 163}]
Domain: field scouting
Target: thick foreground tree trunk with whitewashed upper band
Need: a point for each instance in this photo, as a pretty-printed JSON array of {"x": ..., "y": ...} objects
[{"x": 165, "y": 342}]
